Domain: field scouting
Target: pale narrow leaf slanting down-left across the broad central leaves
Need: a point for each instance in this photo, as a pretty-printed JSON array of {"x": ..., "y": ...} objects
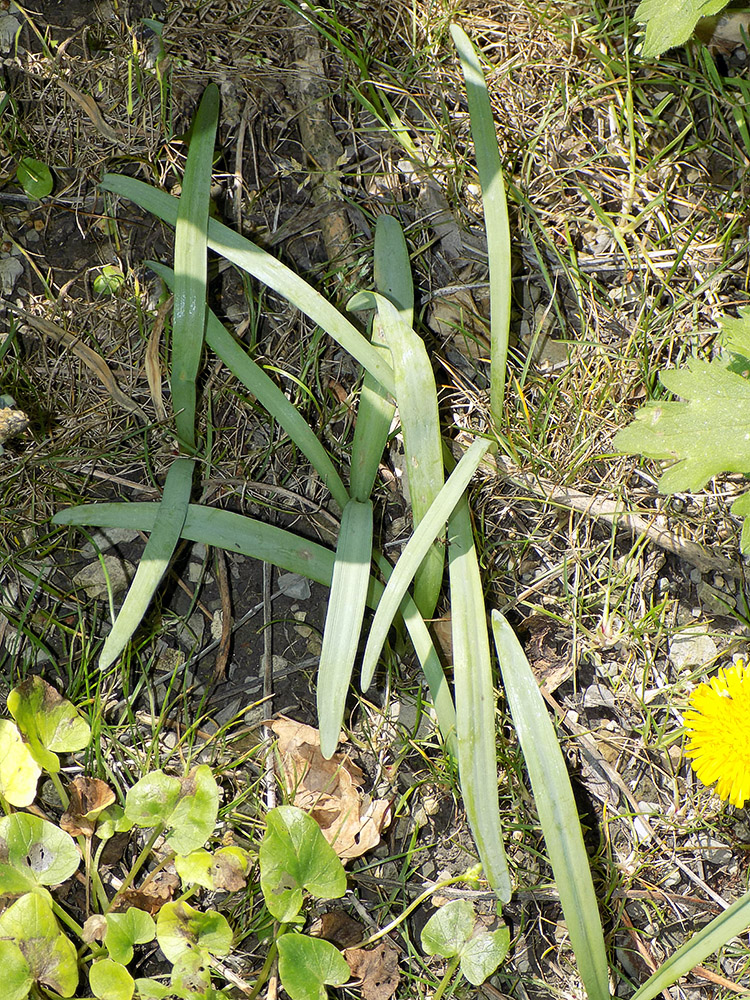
[{"x": 428, "y": 529}]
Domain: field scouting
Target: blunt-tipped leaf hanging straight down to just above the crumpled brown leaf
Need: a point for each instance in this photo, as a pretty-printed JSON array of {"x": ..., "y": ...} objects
[{"x": 343, "y": 625}]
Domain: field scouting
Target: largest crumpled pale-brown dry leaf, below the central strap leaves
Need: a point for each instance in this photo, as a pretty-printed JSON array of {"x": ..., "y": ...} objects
[{"x": 329, "y": 790}]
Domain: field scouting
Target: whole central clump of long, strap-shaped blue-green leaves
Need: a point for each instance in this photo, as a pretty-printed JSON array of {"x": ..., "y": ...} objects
[{"x": 397, "y": 369}]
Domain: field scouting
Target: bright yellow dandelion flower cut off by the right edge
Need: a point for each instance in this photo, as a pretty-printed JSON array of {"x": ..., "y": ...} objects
[{"x": 718, "y": 725}]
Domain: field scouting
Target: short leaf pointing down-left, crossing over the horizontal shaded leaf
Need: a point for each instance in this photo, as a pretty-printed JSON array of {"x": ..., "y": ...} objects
[{"x": 165, "y": 534}]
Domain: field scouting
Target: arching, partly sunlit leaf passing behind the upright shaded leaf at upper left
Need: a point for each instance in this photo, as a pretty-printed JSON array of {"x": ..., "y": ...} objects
[{"x": 265, "y": 268}]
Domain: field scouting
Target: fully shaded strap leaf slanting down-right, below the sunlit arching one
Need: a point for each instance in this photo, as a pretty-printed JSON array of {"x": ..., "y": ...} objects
[{"x": 268, "y": 395}]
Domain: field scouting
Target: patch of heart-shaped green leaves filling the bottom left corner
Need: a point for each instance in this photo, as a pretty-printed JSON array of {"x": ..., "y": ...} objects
[{"x": 48, "y": 947}]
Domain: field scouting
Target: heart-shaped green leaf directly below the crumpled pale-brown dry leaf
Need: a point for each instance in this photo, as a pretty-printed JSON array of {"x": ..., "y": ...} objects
[{"x": 294, "y": 856}]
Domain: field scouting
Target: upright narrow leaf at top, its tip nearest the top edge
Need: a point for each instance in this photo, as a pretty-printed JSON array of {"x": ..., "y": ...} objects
[{"x": 495, "y": 216}]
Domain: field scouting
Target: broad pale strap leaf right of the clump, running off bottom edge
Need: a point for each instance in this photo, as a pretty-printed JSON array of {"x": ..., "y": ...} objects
[{"x": 557, "y": 810}]
